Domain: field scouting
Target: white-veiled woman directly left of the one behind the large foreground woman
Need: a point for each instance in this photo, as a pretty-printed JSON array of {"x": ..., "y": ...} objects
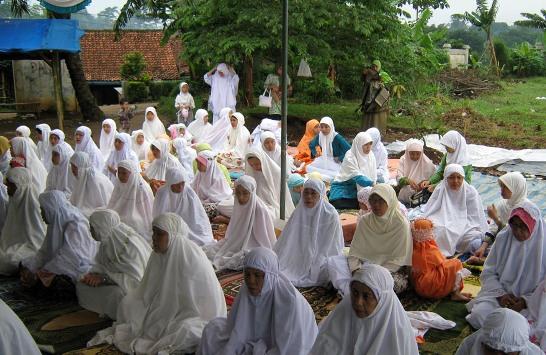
[{"x": 133, "y": 199}]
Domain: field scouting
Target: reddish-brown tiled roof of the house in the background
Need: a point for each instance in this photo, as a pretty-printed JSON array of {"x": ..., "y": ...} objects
[{"x": 102, "y": 57}]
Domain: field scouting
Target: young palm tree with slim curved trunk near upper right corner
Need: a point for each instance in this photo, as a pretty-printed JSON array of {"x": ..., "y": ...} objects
[{"x": 484, "y": 18}]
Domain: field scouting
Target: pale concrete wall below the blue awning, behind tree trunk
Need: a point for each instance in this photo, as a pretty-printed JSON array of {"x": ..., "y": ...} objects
[{"x": 33, "y": 81}]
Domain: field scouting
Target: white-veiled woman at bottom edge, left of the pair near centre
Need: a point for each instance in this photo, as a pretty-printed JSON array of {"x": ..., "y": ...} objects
[{"x": 268, "y": 317}]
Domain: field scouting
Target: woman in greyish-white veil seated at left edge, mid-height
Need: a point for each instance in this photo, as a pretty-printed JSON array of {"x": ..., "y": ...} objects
[{"x": 24, "y": 230}]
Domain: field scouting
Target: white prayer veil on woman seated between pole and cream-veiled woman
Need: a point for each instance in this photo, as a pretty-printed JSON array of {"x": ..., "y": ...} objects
[{"x": 309, "y": 238}]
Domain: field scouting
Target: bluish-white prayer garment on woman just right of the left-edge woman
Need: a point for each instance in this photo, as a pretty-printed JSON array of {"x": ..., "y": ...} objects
[{"x": 68, "y": 248}]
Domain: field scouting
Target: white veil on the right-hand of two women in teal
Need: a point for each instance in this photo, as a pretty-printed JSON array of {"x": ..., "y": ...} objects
[{"x": 356, "y": 162}]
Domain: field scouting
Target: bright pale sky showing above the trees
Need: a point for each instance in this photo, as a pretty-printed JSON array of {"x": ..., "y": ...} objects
[{"x": 509, "y": 10}]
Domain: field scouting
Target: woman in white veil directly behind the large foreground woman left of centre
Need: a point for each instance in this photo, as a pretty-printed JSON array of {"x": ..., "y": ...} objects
[{"x": 178, "y": 197}]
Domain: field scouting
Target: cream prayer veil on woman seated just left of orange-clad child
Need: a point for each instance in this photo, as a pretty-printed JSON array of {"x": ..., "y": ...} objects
[{"x": 384, "y": 240}]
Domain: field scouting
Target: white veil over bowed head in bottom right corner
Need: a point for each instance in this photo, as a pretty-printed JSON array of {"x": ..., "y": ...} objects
[{"x": 503, "y": 330}]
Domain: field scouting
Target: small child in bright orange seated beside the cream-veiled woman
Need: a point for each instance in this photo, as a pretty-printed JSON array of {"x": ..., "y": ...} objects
[{"x": 433, "y": 275}]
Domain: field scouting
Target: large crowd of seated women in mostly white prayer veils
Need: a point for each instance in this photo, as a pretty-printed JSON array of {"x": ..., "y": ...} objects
[{"x": 130, "y": 223}]
